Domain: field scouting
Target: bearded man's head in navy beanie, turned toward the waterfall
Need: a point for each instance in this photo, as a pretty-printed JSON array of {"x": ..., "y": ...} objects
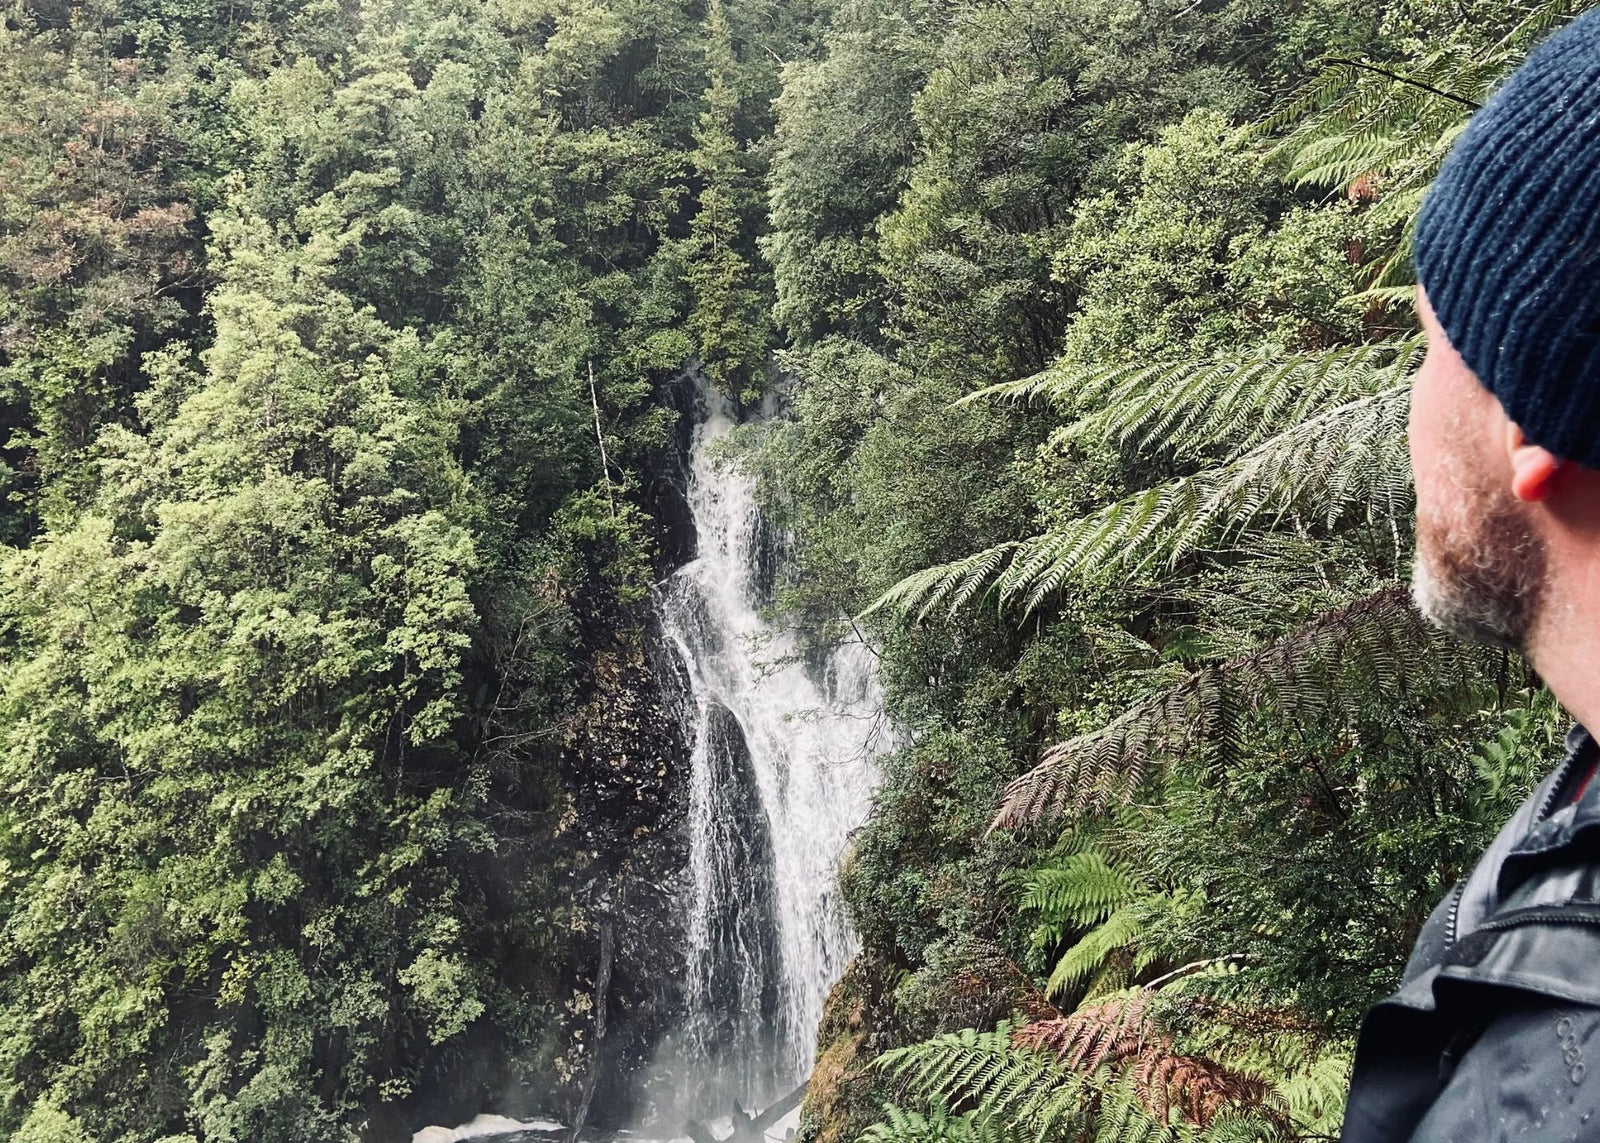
[{"x": 1506, "y": 407}]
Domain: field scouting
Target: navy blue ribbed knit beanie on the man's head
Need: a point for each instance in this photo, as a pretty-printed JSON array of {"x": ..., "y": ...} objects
[{"x": 1508, "y": 244}]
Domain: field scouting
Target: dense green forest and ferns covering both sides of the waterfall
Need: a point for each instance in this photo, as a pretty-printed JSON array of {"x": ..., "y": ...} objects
[{"x": 337, "y": 358}]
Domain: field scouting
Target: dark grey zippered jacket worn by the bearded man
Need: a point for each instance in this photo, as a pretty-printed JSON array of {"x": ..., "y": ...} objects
[{"x": 1495, "y": 1033}]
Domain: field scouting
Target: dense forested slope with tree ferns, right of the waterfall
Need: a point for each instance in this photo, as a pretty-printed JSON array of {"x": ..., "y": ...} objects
[{"x": 1100, "y": 323}]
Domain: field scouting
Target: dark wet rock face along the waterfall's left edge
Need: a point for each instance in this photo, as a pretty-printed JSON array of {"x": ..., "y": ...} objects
[{"x": 626, "y": 768}]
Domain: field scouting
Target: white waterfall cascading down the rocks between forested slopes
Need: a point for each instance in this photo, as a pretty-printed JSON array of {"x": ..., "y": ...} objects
[{"x": 782, "y": 774}]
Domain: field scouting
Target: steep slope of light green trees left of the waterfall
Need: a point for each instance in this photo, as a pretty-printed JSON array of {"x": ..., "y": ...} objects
[{"x": 329, "y": 744}]
